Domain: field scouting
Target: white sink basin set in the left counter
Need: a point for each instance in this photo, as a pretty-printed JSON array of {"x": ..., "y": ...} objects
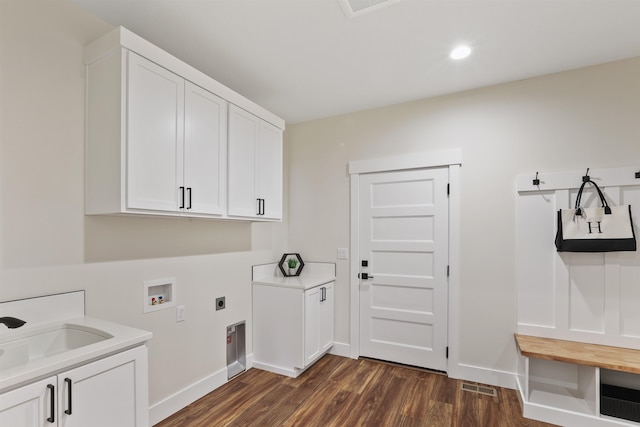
[{"x": 47, "y": 342}]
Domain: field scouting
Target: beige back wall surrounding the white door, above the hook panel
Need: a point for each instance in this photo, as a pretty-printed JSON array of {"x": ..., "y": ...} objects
[{"x": 566, "y": 121}]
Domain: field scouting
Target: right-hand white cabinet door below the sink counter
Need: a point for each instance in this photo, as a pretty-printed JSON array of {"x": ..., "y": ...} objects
[{"x": 104, "y": 393}]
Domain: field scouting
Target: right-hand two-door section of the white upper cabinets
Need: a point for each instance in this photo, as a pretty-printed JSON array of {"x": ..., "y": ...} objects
[{"x": 255, "y": 167}]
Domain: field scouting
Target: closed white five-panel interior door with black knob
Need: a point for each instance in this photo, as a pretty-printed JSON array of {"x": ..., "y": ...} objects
[{"x": 404, "y": 237}]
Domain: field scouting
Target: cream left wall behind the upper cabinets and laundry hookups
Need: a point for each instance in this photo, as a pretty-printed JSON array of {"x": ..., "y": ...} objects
[{"x": 47, "y": 243}]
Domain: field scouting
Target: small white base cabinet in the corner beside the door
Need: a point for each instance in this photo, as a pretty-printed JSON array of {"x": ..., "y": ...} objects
[{"x": 292, "y": 326}]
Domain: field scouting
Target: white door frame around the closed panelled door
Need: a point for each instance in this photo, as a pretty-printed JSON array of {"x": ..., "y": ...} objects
[{"x": 451, "y": 159}]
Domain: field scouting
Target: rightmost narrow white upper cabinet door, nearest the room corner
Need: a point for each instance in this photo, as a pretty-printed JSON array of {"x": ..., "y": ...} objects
[{"x": 270, "y": 170}]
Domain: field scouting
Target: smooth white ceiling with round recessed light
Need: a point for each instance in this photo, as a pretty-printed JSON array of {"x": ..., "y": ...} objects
[{"x": 308, "y": 59}]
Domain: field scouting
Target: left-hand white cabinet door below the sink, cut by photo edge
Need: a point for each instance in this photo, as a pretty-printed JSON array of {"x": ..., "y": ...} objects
[{"x": 30, "y": 406}]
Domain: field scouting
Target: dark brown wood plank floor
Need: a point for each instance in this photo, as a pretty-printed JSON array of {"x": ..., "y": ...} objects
[{"x": 343, "y": 392}]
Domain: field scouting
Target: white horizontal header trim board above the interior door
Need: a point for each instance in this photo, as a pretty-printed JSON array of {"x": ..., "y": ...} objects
[{"x": 408, "y": 161}]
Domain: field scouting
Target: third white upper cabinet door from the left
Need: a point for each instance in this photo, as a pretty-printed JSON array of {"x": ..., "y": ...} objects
[{"x": 243, "y": 138}]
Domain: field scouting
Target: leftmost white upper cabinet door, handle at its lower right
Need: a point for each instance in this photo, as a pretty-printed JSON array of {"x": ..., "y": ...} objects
[{"x": 155, "y": 115}]
